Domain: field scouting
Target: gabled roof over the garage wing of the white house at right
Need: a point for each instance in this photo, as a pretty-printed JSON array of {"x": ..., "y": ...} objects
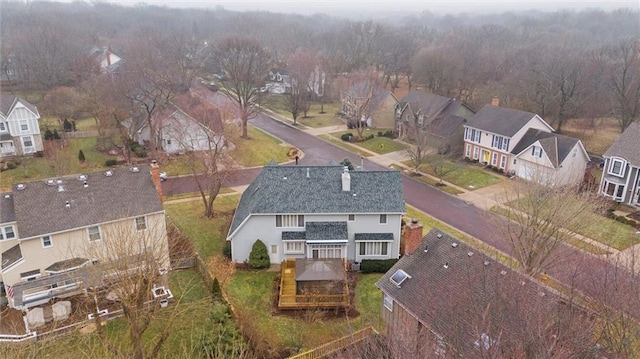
[{"x": 556, "y": 146}]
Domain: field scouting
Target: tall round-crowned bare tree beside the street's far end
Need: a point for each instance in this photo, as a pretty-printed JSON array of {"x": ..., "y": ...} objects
[{"x": 245, "y": 64}]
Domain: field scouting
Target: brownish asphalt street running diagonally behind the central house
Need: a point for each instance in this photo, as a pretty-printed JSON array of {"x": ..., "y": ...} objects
[{"x": 576, "y": 268}]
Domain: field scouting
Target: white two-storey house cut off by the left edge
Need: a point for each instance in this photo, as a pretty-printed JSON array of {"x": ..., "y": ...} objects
[{"x": 19, "y": 127}]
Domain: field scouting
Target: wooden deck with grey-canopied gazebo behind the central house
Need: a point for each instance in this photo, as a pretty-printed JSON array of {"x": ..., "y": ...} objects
[{"x": 313, "y": 284}]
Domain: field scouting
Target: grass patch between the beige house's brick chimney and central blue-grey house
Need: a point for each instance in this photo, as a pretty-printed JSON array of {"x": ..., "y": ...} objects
[{"x": 207, "y": 235}]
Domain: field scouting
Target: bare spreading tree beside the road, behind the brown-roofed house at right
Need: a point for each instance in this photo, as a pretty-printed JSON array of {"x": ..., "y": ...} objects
[{"x": 540, "y": 218}]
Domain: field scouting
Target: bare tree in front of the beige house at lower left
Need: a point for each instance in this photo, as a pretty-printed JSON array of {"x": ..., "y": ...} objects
[{"x": 131, "y": 262}]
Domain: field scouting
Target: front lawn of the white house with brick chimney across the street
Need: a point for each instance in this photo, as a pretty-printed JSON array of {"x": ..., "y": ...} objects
[{"x": 465, "y": 176}]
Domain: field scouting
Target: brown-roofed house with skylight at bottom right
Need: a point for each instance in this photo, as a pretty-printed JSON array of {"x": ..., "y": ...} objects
[{"x": 447, "y": 299}]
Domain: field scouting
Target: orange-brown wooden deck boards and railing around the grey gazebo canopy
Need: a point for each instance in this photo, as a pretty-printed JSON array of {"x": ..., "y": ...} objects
[{"x": 288, "y": 299}]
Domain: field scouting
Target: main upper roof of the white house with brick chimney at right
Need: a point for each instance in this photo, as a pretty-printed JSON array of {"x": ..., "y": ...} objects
[{"x": 501, "y": 120}]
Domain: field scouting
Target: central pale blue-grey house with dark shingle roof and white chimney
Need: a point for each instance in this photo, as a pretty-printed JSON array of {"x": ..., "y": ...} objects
[{"x": 319, "y": 212}]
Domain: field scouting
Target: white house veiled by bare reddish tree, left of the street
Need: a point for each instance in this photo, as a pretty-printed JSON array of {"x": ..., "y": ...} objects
[{"x": 188, "y": 123}]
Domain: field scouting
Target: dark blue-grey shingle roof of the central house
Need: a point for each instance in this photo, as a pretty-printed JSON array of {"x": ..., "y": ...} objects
[{"x": 288, "y": 190}]
